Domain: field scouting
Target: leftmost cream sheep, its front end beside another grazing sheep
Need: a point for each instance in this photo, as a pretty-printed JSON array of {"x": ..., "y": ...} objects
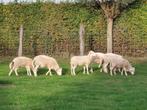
[{"x": 21, "y": 62}]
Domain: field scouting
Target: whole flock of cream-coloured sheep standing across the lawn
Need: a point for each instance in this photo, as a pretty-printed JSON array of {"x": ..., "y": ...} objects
[{"x": 108, "y": 62}]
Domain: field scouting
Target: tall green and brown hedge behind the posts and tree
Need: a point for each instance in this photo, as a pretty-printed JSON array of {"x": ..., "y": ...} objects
[{"x": 53, "y": 29}]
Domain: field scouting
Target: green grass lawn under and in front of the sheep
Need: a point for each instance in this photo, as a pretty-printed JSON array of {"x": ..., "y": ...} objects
[{"x": 97, "y": 91}]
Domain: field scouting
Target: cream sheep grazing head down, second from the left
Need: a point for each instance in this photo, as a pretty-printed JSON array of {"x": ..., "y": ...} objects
[{"x": 46, "y": 61}]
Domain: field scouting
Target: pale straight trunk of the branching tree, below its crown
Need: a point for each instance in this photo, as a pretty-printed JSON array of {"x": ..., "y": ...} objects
[{"x": 109, "y": 34}]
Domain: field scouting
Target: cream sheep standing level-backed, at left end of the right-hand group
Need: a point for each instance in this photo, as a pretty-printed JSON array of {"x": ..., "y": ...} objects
[{"x": 84, "y": 61}]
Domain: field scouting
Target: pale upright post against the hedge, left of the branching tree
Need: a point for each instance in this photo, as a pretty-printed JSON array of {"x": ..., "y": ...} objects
[{"x": 81, "y": 38}]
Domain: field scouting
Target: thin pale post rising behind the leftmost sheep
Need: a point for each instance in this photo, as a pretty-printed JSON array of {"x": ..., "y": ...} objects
[{"x": 20, "y": 41}]
